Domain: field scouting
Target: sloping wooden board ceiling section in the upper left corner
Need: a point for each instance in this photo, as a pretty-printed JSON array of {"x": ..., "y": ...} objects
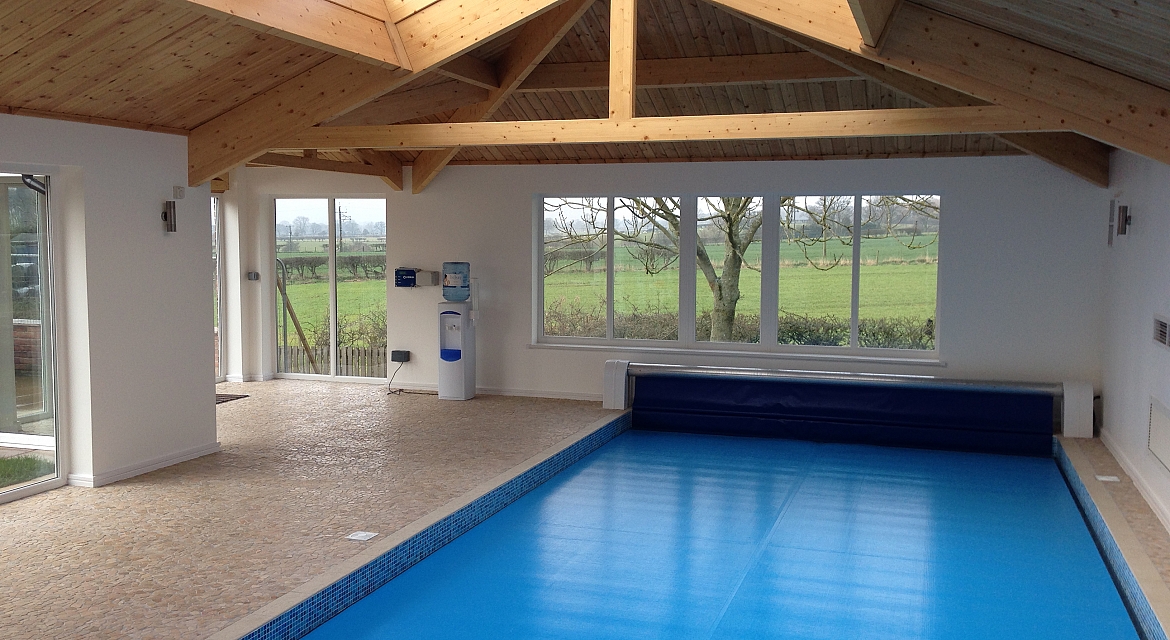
[{"x": 144, "y": 63}]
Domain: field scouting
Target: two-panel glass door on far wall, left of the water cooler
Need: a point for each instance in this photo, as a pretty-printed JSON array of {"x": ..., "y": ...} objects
[{"x": 332, "y": 287}]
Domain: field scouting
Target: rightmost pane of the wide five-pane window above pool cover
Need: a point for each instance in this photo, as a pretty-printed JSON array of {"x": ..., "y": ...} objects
[{"x": 899, "y": 274}]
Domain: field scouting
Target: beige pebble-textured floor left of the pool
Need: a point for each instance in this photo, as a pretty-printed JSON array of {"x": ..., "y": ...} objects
[{"x": 183, "y": 552}]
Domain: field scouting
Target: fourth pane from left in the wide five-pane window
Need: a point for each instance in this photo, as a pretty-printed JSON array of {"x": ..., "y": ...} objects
[{"x": 816, "y": 270}]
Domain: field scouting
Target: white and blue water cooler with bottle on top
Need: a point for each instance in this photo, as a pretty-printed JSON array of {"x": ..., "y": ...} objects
[{"x": 457, "y": 335}]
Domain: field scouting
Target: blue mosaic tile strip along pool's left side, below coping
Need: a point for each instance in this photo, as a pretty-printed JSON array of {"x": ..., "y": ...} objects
[{"x": 318, "y": 609}]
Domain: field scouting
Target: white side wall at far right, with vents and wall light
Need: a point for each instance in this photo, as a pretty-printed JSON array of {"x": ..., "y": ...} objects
[{"x": 1137, "y": 369}]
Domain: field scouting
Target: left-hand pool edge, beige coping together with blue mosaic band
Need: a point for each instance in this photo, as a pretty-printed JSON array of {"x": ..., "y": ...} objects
[{"x": 299, "y": 613}]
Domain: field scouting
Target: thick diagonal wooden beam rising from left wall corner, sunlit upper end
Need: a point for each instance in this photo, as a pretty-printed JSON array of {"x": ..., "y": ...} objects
[{"x": 341, "y": 85}]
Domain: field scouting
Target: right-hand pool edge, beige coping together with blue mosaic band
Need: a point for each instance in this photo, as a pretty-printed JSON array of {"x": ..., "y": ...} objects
[{"x": 1140, "y": 584}]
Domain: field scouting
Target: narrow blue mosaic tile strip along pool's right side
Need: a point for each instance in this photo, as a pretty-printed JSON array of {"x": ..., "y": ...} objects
[{"x": 1145, "y": 620}]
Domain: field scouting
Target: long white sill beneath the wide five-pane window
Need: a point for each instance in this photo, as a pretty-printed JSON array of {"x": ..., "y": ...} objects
[{"x": 851, "y": 356}]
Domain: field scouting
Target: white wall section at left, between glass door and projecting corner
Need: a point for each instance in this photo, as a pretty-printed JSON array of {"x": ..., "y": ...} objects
[{"x": 134, "y": 308}]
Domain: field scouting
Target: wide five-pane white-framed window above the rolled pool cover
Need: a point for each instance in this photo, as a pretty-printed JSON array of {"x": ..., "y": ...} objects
[{"x": 748, "y": 272}]
